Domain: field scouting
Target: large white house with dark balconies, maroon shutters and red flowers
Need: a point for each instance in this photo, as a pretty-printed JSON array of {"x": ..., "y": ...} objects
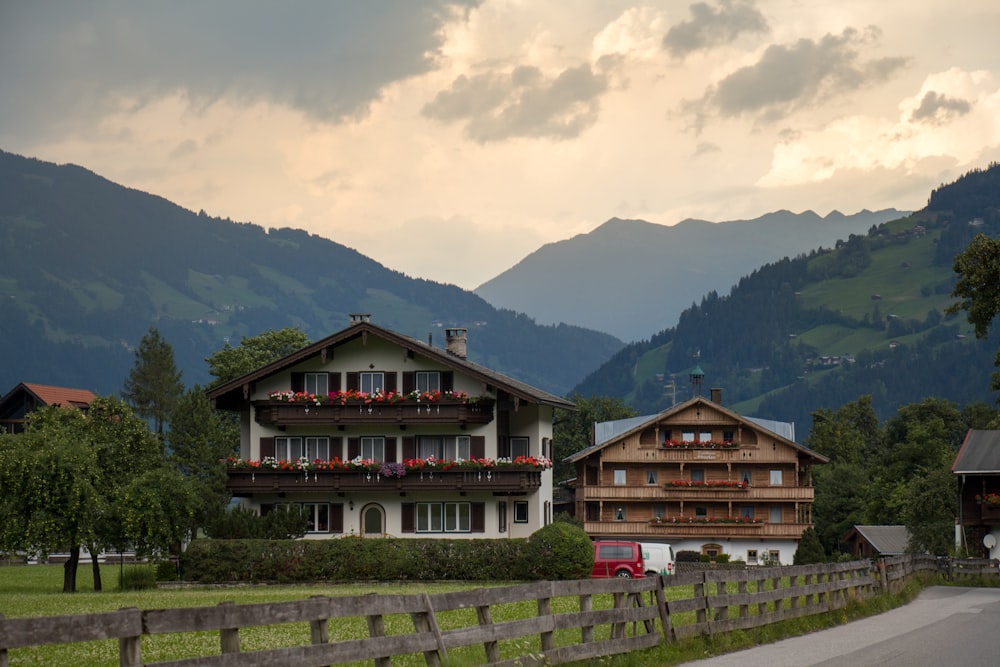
[{"x": 374, "y": 433}]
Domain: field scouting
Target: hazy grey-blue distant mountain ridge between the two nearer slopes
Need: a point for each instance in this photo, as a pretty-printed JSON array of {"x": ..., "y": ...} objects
[{"x": 631, "y": 278}]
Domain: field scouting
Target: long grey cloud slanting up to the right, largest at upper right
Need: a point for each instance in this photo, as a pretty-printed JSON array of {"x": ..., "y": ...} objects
[{"x": 787, "y": 78}]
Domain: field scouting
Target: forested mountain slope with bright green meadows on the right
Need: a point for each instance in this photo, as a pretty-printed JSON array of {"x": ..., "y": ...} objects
[{"x": 820, "y": 330}]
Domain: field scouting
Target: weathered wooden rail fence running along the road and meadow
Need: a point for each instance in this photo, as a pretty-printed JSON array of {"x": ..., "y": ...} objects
[{"x": 575, "y": 620}]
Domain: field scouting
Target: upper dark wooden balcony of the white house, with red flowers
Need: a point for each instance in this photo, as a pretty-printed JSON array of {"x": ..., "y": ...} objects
[{"x": 281, "y": 413}]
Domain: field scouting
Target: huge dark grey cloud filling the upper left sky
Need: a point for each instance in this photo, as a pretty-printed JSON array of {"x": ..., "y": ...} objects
[{"x": 67, "y": 63}]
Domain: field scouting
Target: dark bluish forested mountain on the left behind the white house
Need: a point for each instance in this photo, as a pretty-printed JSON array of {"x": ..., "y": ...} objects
[{"x": 87, "y": 266}]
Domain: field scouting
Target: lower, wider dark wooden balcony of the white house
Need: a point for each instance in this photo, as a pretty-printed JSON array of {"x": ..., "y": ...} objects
[{"x": 511, "y": 479}]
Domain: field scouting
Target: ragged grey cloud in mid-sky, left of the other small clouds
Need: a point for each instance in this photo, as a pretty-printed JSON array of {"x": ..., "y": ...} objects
[{"x": 523, "y": 102}]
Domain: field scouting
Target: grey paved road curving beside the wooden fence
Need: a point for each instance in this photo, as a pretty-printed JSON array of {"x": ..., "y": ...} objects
[{"x": 945, "y": 626}]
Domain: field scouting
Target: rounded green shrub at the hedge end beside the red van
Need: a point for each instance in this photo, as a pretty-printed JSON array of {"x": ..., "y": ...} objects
[{"x": 559, "y": 550}]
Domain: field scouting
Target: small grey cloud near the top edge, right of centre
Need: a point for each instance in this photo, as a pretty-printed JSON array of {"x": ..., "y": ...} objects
[{"x": 710, "y": 27}]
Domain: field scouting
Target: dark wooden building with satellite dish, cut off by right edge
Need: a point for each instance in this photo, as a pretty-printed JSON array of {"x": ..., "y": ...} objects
[{"x": 977, "y": 465}]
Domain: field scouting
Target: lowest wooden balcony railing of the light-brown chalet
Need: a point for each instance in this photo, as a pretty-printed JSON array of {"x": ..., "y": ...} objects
[{"x": 708, "y": 531}]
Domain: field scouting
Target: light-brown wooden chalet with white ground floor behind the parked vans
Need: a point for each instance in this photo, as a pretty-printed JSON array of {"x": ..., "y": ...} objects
[{"x": 701, "y": 478}]
